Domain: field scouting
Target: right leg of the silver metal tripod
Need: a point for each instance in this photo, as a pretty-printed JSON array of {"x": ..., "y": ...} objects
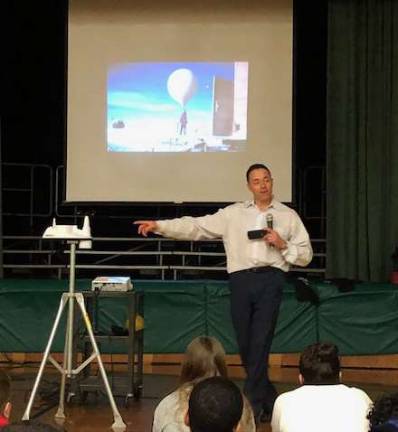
[{"x": 118, "y": 421}]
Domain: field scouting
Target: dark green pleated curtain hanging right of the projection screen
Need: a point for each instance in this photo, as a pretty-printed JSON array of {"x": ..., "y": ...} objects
[{"x": 362, "y": 138}]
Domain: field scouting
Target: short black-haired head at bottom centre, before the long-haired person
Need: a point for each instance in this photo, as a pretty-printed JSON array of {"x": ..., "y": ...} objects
[{"x": 215, "y": 405}]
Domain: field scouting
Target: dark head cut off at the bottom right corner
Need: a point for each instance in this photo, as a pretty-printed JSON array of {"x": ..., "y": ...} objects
[{"x": 383, "y": 416}]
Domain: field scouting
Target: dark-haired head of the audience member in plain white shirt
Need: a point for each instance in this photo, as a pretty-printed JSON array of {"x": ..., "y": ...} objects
[{"x": 320, "y": 364}]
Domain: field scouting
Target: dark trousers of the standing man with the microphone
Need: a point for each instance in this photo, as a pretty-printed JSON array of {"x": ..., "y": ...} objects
[{"x": 256, "y": 295}]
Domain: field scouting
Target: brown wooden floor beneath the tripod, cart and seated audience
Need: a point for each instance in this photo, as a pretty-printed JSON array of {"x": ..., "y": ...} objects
[{"x": 95, "y": 414}]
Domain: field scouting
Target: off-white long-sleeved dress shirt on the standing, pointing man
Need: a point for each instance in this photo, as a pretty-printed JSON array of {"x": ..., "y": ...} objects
[{"x": 232, "y": 224}]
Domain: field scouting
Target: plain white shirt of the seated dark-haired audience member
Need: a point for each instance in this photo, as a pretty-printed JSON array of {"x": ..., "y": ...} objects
[{"x": 326, "y": 408}]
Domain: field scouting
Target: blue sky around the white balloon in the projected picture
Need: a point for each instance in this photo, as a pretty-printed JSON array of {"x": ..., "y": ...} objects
[{"x": 140, "y": 89}]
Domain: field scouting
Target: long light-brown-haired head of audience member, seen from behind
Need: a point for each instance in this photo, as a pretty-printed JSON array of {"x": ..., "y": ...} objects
[{"x": 204, "y": 358}]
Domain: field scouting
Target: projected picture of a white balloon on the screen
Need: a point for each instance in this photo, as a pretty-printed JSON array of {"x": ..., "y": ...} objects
[{"x": 177, "y": 107}]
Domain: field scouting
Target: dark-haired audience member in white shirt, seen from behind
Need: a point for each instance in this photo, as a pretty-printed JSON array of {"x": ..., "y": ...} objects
[{"x": 322, "y": 403}]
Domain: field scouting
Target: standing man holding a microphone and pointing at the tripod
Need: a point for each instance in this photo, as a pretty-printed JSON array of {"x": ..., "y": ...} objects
[{"x": 256, "y": 270}]
